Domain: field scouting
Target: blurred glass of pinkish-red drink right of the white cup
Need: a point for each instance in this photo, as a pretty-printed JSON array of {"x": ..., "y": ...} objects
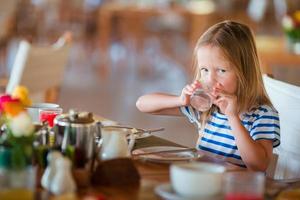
[{"x": 244, "y": 185}]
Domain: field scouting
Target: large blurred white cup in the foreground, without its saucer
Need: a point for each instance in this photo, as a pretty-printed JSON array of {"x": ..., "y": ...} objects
[{"x": 197, "y": 179}]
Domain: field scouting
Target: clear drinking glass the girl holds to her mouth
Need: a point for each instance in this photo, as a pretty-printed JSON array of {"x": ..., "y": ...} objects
[{"x": 201, "y": 100}]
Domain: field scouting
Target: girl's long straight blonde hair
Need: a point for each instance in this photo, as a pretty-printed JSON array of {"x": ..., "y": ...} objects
[{"x": 236, "y": 41}]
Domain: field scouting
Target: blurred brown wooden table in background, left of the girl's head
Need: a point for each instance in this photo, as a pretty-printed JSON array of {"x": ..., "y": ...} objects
[{"x": 130, "y": 21}]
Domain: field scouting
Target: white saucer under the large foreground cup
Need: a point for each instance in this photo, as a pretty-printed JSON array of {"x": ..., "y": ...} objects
[{"x": 165, "y": 191}]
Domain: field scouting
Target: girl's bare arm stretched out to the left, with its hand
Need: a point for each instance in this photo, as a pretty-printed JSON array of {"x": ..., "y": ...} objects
[{"x": 166, "y": 104}]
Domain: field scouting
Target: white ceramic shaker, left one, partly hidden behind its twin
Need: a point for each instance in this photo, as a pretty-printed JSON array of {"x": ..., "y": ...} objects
[{"x": 50, "y": 170}]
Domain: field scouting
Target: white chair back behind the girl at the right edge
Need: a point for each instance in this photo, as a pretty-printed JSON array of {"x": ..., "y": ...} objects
[{"x": 286, "y": 99}]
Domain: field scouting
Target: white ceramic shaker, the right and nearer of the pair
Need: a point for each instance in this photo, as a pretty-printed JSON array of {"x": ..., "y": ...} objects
[{"x": 63, "y": 181}]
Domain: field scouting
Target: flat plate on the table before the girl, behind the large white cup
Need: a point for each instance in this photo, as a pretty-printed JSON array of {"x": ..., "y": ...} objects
[{"x": 166, "y": 157}]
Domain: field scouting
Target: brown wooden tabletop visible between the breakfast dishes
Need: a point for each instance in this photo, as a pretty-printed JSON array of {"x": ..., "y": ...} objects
[{"x": 152, "y": 175}]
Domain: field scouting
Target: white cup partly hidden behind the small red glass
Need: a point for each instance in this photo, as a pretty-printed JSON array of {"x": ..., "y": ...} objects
[{"x": 35, "y": 108}]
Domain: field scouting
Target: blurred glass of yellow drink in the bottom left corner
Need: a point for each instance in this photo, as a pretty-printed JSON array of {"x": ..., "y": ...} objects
[{"x": 16, "y": 184}]
